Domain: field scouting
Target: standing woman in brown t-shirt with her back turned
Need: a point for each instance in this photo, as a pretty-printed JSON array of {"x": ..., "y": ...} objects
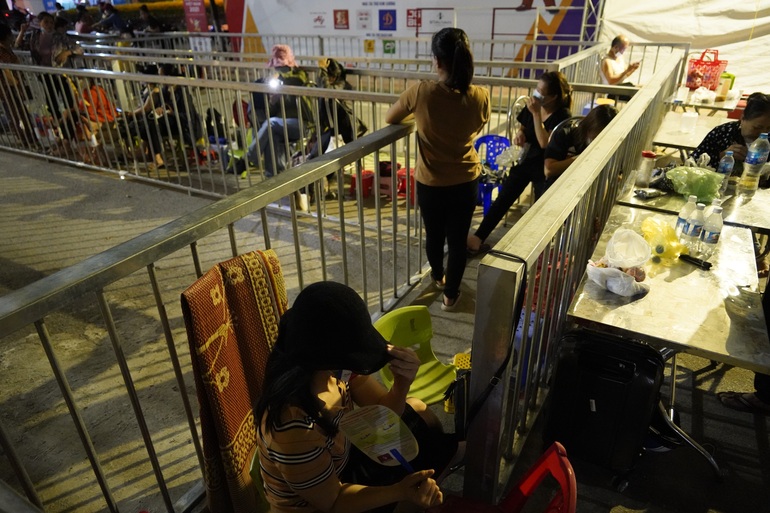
[{"x": 449, "y": 112}]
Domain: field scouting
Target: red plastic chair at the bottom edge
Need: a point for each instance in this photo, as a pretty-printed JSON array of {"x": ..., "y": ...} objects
[{"x": 554, "y": 462}]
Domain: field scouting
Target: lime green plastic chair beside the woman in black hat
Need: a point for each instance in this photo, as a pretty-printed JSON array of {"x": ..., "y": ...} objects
[{"x": 411, "y": 326}]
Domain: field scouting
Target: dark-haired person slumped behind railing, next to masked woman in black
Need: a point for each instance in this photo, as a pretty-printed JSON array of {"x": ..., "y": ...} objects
[{"x": 568, "y": 141}]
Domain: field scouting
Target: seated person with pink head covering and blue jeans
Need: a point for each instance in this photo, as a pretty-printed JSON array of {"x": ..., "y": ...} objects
[{"x": 288, "y": 74}]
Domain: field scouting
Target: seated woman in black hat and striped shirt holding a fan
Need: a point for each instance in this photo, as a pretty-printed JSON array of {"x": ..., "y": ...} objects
[{"x": 318, "y": 370}]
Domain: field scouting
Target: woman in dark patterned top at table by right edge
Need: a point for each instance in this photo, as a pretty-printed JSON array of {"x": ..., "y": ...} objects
[{"x": 737, "y": 136}]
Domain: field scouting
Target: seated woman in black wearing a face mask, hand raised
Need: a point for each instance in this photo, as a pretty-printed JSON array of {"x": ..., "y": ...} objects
[{"x": 548, "y": 106}]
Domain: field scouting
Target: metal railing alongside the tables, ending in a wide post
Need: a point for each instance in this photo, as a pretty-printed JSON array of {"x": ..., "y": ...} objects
[{"x": 555, "y": 238}]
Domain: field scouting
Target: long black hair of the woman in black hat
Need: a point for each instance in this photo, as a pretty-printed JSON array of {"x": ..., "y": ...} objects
[{"x": 286, "y": 383}]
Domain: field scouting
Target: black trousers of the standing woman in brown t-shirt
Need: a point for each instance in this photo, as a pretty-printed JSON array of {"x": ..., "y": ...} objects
[{"x": 447, "y": 213}]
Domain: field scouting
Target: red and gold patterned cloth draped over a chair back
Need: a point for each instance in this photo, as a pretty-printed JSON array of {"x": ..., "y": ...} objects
[{"x": 228, "y": 365}]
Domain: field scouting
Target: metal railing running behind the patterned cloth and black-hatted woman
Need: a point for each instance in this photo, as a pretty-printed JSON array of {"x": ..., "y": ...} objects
[{"x": 375, "y": 249}]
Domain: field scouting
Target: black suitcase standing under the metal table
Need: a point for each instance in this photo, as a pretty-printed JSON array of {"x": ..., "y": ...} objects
[{"x": 604, "y": 392}]
